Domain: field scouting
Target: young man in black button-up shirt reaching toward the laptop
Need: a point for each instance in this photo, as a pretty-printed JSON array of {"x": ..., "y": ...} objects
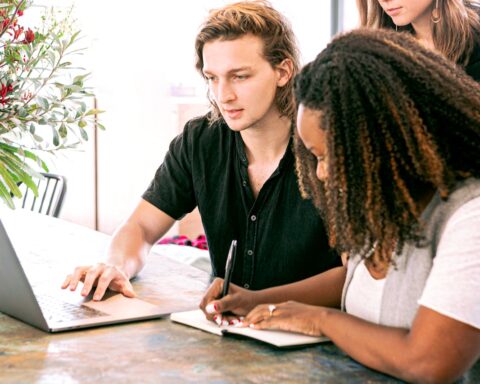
[{"x": 235, "y": 164}]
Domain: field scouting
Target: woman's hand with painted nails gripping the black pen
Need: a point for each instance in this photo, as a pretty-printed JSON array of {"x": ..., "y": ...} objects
[{"x": 238, "y": 302}]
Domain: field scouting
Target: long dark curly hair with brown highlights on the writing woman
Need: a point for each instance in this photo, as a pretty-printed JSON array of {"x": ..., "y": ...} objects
[{"x": 400, "y": 120}]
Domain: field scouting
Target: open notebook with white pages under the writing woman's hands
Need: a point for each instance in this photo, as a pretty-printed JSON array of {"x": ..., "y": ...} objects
[{"x": 279, "y": 339}]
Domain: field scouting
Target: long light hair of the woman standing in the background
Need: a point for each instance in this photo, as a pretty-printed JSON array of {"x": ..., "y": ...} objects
[{"x": 454, "y": 36}]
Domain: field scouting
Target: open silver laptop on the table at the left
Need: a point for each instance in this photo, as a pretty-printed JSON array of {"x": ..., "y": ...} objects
[{"x": 45, "y": 306}]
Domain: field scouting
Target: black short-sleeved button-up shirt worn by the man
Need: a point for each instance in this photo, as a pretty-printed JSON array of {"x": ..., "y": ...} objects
[{"x": 280, "y": 237}]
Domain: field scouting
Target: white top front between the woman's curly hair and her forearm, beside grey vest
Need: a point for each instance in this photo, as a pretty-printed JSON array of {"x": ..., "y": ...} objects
[{"x": 364, "y": 295}]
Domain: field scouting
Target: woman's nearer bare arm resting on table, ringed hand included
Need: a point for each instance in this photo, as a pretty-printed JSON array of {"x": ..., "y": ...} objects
[{"x": 436, "y": 349}]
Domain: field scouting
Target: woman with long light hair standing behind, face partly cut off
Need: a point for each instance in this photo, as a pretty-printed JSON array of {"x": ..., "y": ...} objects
[{"x": 452, "y": 27}]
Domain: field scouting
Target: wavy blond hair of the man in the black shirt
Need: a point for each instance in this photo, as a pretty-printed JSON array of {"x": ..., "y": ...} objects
[{"x": 257, "y": 18}]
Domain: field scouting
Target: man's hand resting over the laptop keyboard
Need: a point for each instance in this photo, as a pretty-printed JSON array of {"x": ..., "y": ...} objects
[{"x": 101, "y": 276}]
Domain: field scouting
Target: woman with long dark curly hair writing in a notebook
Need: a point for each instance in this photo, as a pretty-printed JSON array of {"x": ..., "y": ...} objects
[{"x": 388, "y": 150}]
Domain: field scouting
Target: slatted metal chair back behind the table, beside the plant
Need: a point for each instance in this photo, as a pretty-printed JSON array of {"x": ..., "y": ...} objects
[{"x": 51, "y": 191}]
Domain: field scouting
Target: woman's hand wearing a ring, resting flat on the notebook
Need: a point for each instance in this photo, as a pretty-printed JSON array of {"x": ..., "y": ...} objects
[{"x": 290, "y": 316}]
